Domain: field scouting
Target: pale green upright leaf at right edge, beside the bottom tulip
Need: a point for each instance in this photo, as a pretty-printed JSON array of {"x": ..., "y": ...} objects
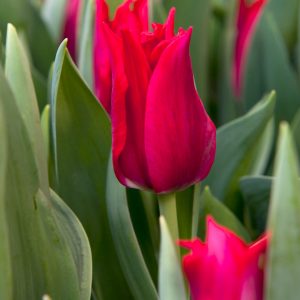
[{"x": 283, "y": 260}]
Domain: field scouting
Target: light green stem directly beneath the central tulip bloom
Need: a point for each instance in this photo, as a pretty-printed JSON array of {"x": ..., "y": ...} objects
[{"x": 167, "y": 208}]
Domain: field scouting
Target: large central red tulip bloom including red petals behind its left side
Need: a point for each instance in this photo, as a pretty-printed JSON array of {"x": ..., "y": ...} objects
[{"x": 163, "y": 139}]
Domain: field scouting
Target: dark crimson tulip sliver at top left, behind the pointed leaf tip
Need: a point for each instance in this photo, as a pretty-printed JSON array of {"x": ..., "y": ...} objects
[{"x": 71, "y": 25}]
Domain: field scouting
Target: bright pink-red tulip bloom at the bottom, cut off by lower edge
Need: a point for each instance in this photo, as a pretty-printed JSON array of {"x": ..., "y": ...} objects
[{"x": 224, "y": 267}]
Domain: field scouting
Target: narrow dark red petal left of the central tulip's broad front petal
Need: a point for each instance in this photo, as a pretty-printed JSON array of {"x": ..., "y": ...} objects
[{"x": 132, "y": 160}]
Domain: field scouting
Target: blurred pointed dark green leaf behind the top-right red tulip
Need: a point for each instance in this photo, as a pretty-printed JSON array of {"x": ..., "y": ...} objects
[{"x": 269, "y": 68}]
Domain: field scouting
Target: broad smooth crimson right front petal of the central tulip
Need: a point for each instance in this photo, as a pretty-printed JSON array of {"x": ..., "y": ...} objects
[{"x": 179, "y": 136}]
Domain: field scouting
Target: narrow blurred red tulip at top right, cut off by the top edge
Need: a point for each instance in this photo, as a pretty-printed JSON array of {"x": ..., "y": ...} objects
[{"x": 247, "y": 19}]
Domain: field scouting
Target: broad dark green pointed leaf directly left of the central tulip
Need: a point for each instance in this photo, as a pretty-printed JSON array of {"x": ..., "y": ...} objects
[{"x": 80, "y": 143}]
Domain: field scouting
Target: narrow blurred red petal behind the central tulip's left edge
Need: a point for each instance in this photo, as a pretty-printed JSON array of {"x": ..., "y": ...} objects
[{"x": 102, "y": 66}]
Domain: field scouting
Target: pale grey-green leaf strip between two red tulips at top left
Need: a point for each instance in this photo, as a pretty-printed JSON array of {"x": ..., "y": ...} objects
[{"x": 85, "y": 62}]
